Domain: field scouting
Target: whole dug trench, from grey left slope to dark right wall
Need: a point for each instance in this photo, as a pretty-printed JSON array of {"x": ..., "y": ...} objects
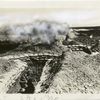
[{"x": 31, "y": 76}]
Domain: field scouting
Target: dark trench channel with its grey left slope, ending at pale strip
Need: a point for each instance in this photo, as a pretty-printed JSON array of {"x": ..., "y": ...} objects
[{"x": 29, "y": 77}]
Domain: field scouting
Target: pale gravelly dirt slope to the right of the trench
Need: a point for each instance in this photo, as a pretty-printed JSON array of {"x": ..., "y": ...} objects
[{"x": 80, "y": 73}]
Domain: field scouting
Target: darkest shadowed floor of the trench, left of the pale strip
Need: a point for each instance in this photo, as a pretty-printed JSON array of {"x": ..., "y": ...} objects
[{"x": 31, "y": 76}]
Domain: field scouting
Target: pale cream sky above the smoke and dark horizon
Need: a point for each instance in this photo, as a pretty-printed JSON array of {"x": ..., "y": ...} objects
[{"x": 73, "y": 12}]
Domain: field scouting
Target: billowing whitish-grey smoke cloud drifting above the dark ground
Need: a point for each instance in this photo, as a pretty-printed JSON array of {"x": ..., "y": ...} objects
[{"x": 36, "y": 32}]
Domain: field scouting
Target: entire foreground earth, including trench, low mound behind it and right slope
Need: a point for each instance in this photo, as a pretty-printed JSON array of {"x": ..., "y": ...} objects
[{"x": 50, "y": 69}]
